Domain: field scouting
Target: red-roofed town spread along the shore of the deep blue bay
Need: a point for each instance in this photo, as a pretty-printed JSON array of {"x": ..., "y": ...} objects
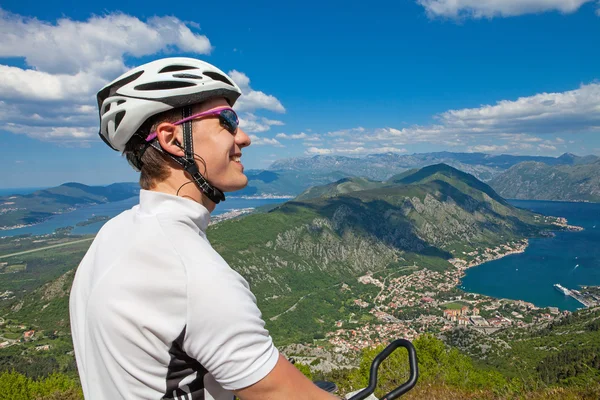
[{"x": 435, "y": 305}]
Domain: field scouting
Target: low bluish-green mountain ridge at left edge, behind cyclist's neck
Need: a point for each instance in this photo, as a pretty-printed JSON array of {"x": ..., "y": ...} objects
[{"x": 19, "y": 210}]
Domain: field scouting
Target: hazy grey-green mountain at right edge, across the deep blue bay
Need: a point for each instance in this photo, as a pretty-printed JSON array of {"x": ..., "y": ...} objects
[{"x": 537, "y": 181}]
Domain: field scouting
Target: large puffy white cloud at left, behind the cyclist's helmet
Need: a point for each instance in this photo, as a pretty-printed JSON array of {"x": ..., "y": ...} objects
[{"x": 68, "y": 61}]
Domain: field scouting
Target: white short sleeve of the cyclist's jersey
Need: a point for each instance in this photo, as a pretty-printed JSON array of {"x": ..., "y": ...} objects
[{"x": 225, "y": 330}]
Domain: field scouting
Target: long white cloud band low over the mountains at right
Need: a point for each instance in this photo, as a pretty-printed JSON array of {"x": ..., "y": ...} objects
[{"x": 508, "y": 126}]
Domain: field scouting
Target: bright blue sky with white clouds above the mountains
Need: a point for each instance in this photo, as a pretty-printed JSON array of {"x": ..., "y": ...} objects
[{"x": 341, "y": 78}]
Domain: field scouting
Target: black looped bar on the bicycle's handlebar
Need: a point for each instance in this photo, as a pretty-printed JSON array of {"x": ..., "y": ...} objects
[{"x": 400, "y": 390}]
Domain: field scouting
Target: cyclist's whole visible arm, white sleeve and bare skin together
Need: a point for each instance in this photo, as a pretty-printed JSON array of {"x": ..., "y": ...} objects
[{"x": 226, "y": 334}]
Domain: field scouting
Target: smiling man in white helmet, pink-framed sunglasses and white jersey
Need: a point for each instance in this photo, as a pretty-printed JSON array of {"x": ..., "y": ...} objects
[{"x": 155, "y": 312}]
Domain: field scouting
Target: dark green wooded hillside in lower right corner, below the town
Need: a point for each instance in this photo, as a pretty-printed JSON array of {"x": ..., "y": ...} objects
[{"x": 563, "y": 352}]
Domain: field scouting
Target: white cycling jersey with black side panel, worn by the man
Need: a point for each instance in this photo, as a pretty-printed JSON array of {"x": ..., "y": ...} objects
[{"x": 156, "y": 313}]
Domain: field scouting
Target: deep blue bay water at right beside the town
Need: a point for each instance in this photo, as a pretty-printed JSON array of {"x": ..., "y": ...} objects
[{"x": 570, "y": 258}]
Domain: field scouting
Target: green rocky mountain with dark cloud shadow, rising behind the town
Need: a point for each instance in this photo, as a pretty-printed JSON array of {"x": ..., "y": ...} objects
[{"x": 308, "y": 246}]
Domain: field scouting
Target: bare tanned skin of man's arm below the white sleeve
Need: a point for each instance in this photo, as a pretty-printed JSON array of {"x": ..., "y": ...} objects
[{"x": 284, "y": 382}]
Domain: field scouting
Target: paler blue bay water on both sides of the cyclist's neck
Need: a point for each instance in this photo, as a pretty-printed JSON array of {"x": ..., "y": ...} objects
[{"x": 115, "y": 208}]
